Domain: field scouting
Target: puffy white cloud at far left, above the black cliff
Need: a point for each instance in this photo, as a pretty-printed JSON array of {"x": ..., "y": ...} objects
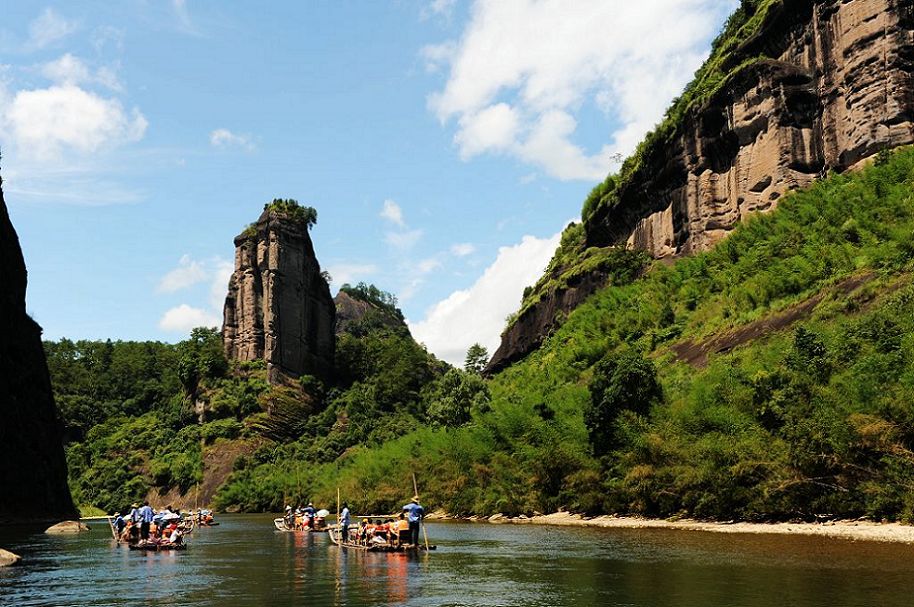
[{"x": 44, "y": 122}]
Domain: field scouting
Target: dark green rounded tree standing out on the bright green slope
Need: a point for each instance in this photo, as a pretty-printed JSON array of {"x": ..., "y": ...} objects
[{"x": 621, "y": 382}]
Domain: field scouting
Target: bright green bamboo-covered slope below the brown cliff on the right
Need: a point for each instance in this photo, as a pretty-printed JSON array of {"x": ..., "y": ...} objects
[{"x": 819, "y": 423}]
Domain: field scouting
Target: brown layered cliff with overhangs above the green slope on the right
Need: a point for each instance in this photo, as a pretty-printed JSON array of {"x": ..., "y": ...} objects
[{"x": 818, "y": 86}]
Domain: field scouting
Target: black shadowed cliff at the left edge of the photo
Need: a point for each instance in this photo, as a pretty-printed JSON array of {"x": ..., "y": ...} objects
[{"x": 33, "y": 471}]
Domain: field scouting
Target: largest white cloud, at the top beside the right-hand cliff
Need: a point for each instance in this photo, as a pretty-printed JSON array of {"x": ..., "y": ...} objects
[{"x": 514, "y": 89}]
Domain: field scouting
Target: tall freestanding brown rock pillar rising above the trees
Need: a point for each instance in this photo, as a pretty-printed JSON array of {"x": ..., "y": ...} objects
[{"x": 278, "y": 306}]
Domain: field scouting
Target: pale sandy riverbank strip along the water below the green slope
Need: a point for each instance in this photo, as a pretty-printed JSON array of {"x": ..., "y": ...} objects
[{"x": 848, "y": 530}]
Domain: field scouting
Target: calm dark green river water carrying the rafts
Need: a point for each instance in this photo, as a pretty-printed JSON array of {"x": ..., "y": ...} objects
[{"x": 245, "y": 562}]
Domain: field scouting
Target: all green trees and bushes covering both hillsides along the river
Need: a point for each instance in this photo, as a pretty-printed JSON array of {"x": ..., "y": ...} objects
[{"x": 769, "y": 378}]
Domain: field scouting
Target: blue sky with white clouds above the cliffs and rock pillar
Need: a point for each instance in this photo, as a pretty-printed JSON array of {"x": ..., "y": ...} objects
[{"x": 444, "y": 144}]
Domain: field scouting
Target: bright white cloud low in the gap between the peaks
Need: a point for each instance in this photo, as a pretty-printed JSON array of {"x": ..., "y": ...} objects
[{"x": 477, "y": 314}]
